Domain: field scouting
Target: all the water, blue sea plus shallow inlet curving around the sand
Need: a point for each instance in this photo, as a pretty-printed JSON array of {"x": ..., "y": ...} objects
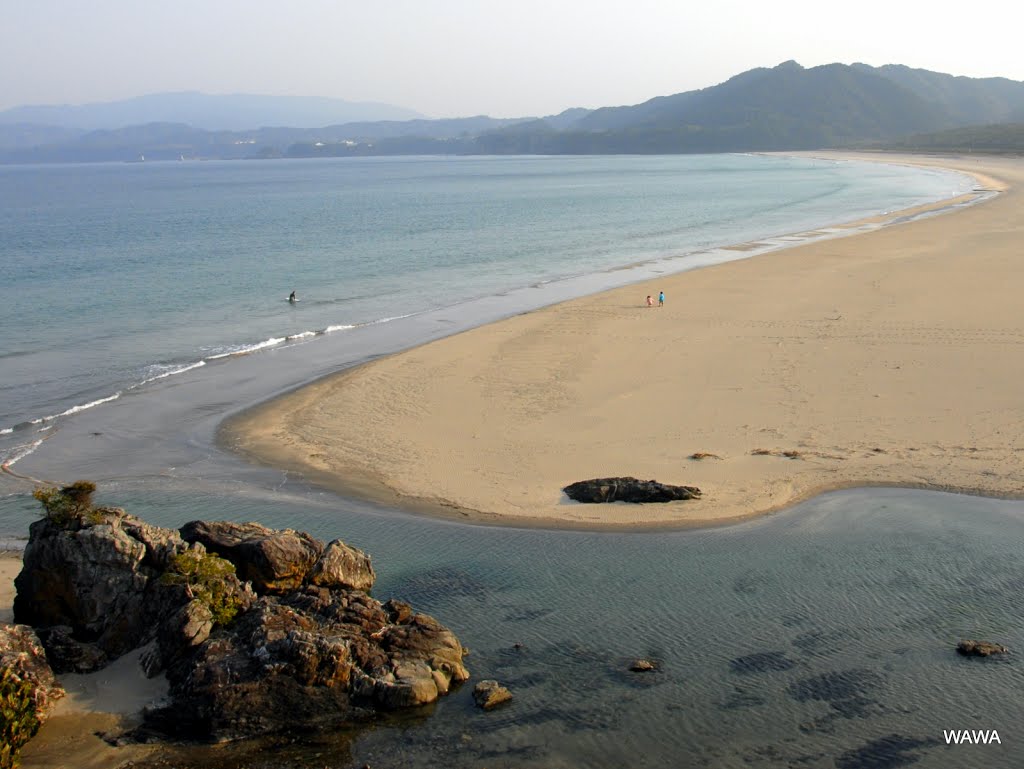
[{"x": 147, "y": 303}]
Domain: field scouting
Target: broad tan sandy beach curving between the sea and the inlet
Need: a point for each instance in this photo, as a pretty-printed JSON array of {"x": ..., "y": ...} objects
[{"x": 890, "y": 358}]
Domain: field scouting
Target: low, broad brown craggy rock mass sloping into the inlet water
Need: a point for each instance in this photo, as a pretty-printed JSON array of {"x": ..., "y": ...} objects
[{"x": 316, "y": 658}]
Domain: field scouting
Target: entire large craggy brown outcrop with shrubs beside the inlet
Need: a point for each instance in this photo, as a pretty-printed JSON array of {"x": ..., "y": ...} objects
[{"x": 282, "y": 638}]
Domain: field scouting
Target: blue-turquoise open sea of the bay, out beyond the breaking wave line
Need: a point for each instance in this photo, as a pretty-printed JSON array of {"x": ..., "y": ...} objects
[{"x": 118, "y": 276}]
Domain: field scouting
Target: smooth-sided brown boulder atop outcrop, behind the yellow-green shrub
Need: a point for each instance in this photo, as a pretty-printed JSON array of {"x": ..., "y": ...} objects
[{"x": 274, "y": 562}]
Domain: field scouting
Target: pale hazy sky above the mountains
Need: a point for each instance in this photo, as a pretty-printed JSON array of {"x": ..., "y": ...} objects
[{"x": 461, "y": 58}]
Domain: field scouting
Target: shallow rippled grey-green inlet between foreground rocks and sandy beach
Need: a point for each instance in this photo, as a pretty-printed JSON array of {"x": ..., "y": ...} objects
[{"x": 824, "y": 636}]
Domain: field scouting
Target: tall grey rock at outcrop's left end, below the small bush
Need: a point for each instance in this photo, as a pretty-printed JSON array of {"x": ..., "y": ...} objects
[{"x": 95, "y": 577}]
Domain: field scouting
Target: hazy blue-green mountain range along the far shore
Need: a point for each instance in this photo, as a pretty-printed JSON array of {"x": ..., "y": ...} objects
[{"x": 788, "y": 107}]
